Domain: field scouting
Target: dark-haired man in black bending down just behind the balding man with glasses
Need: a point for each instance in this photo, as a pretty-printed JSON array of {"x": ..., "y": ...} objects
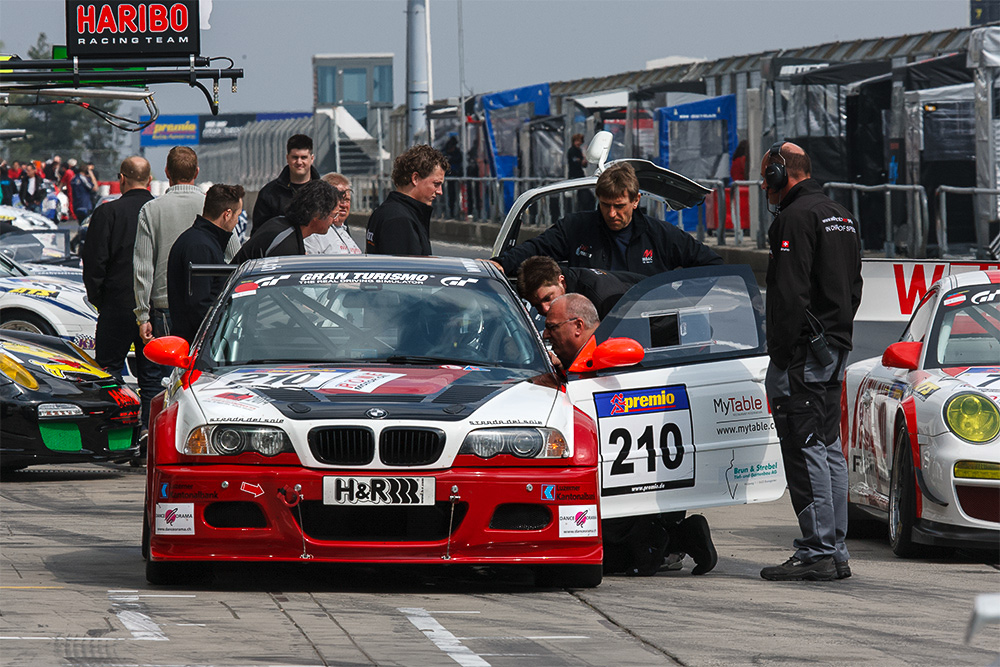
[{"x": 540, "y": 281}]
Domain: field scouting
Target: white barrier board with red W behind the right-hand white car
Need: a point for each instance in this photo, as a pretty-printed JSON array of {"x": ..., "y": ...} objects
[{"x": 894, "y": 287}]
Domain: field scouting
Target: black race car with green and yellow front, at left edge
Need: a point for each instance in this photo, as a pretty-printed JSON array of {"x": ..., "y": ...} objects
[{"x": 57, "y": 406}]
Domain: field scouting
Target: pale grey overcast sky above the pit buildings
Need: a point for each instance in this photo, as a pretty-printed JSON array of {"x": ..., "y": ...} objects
[{"x": 508, "y": 43}]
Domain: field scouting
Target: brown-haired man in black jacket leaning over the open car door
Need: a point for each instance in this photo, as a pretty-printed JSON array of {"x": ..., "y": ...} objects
[{"x": 616, "y": 237}]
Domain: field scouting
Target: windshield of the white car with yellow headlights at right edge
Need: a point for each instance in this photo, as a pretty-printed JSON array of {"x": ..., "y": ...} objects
[{"x": 967, "y": 331}]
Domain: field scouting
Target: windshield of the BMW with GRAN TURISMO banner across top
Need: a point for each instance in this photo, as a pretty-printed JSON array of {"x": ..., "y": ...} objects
[{"x": 393, "y": 318}]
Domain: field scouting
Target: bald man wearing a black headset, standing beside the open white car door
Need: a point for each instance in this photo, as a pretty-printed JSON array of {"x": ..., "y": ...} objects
[{"x": 813, "y": 292}]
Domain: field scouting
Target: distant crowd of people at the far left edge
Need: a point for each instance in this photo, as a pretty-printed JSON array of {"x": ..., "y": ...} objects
[{"x": 63, "y": 191}]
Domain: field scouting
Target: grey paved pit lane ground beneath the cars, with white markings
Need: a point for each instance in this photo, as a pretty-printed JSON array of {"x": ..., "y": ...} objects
[{"x": 73, "y": 592}]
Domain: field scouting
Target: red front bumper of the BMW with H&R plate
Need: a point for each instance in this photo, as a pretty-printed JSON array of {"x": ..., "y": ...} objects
[{"x": 497, "y": 515}]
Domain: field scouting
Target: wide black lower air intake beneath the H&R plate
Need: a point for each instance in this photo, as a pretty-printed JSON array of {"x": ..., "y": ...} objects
[{"x": 429, "y": 523}]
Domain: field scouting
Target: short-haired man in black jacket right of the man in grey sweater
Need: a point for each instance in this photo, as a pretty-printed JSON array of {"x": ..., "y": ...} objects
[{"x": 204, "y": 242}]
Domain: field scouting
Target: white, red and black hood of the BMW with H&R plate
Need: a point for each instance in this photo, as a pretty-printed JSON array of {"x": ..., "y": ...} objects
[{"x": 439, "y": 393}]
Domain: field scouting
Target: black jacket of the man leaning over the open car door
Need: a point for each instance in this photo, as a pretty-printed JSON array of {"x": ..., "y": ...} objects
[{"x": 583, "y": 240}]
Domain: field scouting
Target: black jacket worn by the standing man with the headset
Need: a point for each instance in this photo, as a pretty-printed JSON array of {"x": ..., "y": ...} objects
[{"x": 816, "y": 265}]
